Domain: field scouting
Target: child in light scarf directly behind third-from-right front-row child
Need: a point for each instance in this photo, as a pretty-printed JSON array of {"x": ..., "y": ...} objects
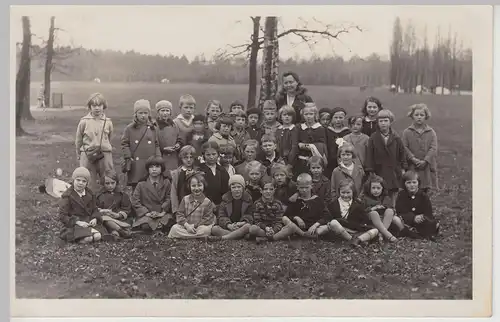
[{"x": 347, "y": 169}]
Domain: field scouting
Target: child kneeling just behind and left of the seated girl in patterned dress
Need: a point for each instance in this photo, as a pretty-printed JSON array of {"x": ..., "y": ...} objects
[{"x": 179, "y": 176}]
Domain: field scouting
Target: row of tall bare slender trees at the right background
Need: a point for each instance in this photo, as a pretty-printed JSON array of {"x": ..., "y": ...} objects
[{"x": 447, "y": 64}]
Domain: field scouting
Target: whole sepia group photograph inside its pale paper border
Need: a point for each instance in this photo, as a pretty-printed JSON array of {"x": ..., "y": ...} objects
[{"x": 171, "y": 152}]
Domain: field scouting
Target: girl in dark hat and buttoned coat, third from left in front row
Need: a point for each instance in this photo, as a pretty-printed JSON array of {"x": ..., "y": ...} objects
[{"x": 151, "y": 199}]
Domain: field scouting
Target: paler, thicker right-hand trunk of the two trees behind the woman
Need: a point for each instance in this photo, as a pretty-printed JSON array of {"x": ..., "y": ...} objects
[{"x": 270, "y": 62}]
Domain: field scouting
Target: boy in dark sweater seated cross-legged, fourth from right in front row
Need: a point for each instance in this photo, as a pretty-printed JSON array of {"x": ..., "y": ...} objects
[{"x": 308, "y": 211}]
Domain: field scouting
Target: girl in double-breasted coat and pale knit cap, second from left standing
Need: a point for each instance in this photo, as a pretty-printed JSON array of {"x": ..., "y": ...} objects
[{"x": 139, "y": 142}]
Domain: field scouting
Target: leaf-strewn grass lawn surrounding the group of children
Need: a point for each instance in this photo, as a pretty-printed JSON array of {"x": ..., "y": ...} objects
[{"x": 146, "y": 267}]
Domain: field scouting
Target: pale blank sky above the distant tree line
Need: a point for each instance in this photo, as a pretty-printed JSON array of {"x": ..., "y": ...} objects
[{"x": 193, "y": 30}]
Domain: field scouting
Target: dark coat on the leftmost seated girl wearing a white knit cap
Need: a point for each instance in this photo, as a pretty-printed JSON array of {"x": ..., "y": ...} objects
[{"x": 73, "y": 208}]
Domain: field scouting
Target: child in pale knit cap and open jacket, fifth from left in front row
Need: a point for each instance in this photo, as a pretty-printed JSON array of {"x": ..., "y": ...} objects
[{"x": 235, "y": 213}]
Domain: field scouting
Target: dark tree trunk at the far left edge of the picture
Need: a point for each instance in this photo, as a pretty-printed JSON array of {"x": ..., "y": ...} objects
[{"x": 23, "y": 76}]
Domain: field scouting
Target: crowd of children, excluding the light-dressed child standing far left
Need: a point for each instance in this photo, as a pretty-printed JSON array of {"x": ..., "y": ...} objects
[{"x": 263, "y": 175}]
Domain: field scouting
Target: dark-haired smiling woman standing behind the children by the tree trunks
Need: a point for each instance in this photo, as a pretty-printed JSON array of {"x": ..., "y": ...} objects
[{"x": 293, "y": 93}]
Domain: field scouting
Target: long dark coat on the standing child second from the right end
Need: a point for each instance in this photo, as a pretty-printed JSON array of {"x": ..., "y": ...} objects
[{"x": 387, "y": 161}]
